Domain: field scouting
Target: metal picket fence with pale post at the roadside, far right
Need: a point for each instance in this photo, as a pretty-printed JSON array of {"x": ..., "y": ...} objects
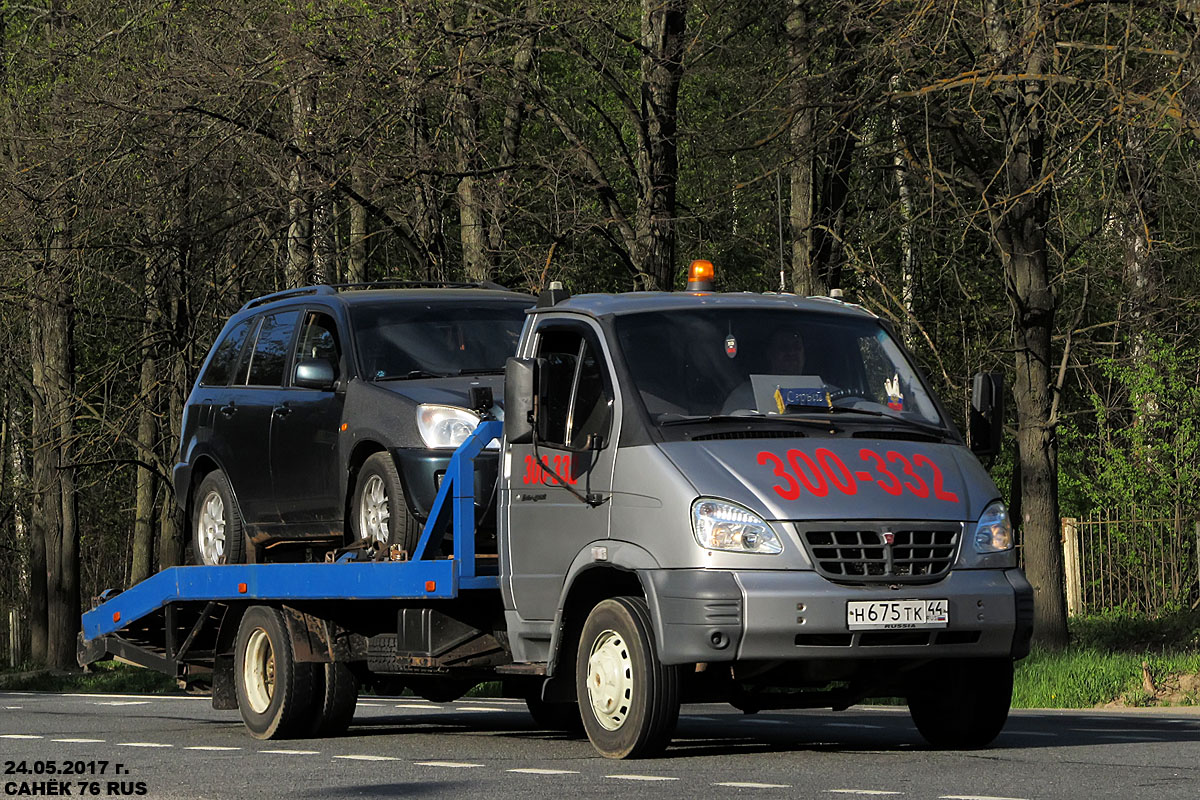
[{"x": 1138, "y": 563}]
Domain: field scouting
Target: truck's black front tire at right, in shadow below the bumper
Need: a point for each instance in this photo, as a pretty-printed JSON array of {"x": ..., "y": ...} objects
[{"x": 962, "y": 703}]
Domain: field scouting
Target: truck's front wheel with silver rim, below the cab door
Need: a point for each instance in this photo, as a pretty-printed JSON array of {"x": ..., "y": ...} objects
[{"x": 629, "y": 701}]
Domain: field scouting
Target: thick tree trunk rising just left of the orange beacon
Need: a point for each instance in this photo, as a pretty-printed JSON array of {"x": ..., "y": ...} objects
[{"x": 664, "y": 23}]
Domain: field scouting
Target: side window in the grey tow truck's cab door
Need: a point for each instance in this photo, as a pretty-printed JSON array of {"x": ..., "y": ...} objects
[{"x": 578, "y": 400}]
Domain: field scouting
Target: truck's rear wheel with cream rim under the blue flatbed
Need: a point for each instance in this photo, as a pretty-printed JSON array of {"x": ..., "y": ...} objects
[{"x": 274, "y": 690}]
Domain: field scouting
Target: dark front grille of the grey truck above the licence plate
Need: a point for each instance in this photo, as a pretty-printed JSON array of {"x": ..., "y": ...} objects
[{"x": 857, "y": 556}]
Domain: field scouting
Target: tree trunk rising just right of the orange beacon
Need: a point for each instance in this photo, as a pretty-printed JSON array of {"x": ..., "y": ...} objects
[{"x": 801, "y": 149}]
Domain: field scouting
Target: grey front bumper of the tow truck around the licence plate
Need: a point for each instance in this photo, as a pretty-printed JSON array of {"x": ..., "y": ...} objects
[{"x": 710, "y": 616}]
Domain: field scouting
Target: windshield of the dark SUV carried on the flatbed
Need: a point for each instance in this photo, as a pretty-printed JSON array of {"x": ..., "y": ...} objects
[{"x": 423, "y": 340}]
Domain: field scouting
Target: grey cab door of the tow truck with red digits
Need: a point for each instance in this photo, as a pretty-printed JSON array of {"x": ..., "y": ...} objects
[{"x": 549, "y": 522}]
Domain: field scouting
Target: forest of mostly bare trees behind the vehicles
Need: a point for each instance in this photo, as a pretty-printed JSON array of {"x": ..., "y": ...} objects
[{"x": 1016, "y": 184}]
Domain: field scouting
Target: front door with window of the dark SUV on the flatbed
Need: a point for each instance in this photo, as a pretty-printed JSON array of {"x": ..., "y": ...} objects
[{"x": 305, "y": 464}]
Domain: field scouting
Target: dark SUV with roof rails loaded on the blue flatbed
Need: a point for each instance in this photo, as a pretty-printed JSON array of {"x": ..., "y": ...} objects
[{"x": 328, "y": 414}]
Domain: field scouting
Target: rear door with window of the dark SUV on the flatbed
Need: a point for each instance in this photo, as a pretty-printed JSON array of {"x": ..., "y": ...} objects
[{"x": 243, "y": 423}]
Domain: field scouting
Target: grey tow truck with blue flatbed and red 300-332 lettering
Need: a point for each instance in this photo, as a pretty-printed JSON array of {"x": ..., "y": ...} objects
[{"x": 691, "y": 507}]
